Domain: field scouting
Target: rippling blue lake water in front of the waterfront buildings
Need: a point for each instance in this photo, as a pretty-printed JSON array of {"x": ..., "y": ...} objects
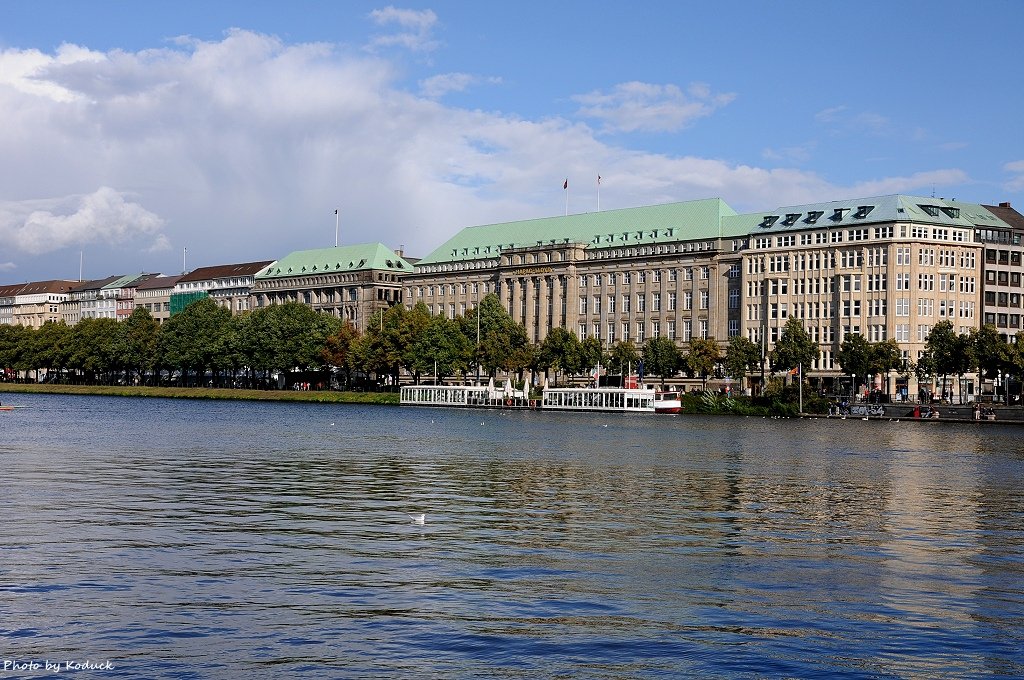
[{"x": 178, "y": 539}]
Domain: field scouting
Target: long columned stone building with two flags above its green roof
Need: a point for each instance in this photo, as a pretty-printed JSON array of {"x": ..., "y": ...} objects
[{"x": 671, "y": 271}]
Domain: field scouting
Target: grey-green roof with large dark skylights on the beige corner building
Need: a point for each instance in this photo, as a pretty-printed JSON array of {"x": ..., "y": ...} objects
[{"x": 856, "y": 212}]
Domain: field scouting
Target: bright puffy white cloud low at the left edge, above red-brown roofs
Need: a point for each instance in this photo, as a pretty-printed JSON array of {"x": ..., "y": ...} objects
[{"x": 48, "y": 226}]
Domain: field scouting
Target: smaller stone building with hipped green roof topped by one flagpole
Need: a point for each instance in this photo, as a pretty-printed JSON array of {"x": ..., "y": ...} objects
[{"x": 352, "y": 283}]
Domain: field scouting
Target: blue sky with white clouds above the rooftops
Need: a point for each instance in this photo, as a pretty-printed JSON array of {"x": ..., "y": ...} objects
[{"x": 162, "y": 137}]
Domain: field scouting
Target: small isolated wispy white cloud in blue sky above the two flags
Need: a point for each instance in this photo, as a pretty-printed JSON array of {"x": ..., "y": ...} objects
[{"x": 646, "y": 107}]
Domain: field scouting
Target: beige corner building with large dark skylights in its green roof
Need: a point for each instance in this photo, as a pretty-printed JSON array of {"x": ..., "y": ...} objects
[{"x": 884, "y": 268}]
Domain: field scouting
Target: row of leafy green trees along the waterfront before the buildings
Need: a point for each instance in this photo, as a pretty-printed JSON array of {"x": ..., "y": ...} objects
[{"x": 205, "y": 344}]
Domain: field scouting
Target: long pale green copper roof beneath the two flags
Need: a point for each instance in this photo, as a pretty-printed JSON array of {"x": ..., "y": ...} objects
[{"x": 631, "y": 227}]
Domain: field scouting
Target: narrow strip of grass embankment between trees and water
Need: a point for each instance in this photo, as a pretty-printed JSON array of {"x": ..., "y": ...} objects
[{"x": 391, "y": 399}]
